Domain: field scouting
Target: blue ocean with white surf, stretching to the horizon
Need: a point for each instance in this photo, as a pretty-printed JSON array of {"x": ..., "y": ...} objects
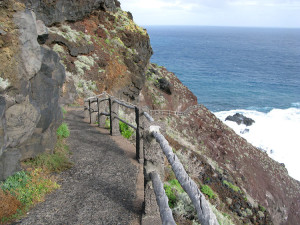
[{"x": 253, "y": 71}]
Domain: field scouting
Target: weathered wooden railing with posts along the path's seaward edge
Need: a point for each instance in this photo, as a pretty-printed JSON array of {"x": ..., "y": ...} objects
[{"x": 150, "y": 155}]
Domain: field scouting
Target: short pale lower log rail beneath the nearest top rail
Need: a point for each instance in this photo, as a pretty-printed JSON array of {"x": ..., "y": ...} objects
[{"x": 162, "y": 200}]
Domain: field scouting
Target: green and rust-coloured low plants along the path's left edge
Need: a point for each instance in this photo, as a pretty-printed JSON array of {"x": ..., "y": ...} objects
[{"x": 24, "y": 189}]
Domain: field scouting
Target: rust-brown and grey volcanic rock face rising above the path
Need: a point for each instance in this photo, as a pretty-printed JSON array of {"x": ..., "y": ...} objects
[{"x": 93, "y": 42}]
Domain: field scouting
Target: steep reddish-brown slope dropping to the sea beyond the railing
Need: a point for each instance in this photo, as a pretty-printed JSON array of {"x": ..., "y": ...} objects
[{"x": 245, "y": 179}]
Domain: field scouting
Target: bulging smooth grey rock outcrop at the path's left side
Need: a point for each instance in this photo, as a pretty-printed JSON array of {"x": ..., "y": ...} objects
[{"x": 31, "y": 77}]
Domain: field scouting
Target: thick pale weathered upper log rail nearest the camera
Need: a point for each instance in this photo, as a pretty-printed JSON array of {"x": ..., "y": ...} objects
[{"x": 204, "y": 212}]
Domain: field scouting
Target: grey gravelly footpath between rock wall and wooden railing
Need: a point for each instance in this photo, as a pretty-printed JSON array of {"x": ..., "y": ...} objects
[{"x": 101, "y": 186}]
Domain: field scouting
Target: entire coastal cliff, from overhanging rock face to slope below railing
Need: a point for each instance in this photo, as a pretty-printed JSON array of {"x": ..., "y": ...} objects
[{"x": 59, "y": 52}]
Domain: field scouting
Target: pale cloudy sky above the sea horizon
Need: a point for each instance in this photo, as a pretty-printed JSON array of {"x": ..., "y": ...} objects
[{"x": 255, "y": 13}]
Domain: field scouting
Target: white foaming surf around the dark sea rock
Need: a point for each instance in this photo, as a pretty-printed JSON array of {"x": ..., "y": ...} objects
[{"x": 277, "y": 132}]
